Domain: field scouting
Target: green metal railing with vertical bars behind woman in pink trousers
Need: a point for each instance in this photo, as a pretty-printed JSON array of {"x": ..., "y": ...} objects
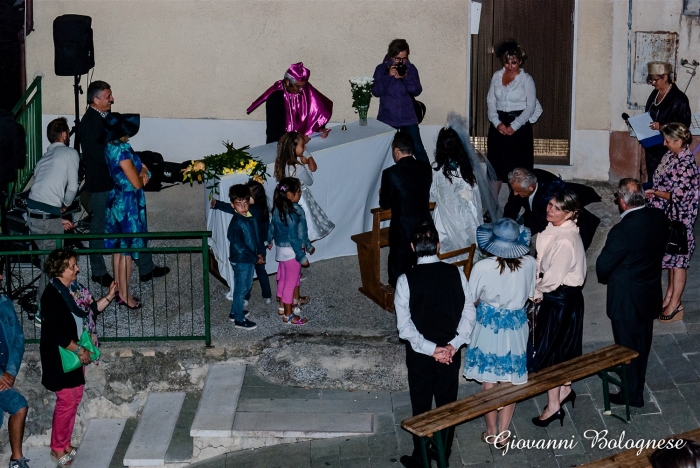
[{"x": 175, "y": 307}]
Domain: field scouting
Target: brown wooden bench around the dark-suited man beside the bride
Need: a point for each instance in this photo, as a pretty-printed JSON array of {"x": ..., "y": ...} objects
[{"x": 369, "y": 245}]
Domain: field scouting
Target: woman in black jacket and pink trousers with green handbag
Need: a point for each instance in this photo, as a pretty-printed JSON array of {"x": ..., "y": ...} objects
[{"x": 67, "y": 308}]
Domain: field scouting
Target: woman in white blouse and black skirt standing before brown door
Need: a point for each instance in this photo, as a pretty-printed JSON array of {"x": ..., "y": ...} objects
[{"x": 512, "y": 105}]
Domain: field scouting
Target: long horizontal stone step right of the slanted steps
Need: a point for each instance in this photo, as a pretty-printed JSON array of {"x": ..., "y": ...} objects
[{"x": 311, "y": 425}]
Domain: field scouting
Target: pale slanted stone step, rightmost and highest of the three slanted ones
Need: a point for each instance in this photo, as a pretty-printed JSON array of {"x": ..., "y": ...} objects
[{"x": 219, "y": 400}]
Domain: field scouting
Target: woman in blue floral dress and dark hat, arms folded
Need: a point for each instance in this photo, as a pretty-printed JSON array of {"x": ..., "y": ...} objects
[{"x": 126, "y": 203}]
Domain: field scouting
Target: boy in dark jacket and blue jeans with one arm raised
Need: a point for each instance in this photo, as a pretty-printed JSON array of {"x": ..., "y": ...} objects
[{"x": 245, "y": 250}]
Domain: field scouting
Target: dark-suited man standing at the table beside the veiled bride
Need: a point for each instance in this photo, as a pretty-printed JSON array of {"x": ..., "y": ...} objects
[{"x": 406, "y": 190}]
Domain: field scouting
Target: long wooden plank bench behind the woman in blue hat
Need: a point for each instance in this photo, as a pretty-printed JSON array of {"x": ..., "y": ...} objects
[{"x": 431, "y": 426}]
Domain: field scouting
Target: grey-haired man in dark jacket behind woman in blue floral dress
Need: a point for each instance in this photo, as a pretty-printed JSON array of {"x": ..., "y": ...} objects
[{"x": 98, "y": 181}]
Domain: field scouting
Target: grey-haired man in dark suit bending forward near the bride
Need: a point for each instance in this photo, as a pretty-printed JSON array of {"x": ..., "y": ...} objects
[{"x": 531, "y": 191}]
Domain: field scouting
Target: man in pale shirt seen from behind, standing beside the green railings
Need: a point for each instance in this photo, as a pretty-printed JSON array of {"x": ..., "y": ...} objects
[{"x": 55, "y": 186}]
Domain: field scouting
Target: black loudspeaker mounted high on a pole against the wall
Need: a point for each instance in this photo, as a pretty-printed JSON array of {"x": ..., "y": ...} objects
[{"x": 73, "y": 47}]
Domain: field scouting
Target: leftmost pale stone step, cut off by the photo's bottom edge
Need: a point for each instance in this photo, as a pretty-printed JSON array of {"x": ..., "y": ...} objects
[{"x": 99, "y": 443}]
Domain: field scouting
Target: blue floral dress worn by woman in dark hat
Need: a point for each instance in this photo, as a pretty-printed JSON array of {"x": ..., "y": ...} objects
[{"x": 126, "y": 206}]
